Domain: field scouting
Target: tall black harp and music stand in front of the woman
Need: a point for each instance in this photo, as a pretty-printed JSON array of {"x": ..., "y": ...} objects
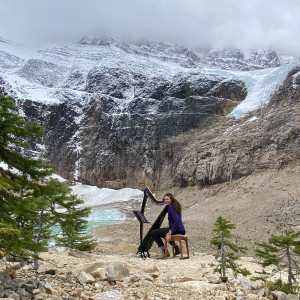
[{"x": 147, "y": 241}]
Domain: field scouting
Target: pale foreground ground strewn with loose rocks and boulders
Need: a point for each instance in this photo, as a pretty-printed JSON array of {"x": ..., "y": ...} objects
[{"x": 68, "y": 274}]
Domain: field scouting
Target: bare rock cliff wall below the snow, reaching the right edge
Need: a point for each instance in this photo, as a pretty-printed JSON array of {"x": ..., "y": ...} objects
[{"x": 183, "y": 140}]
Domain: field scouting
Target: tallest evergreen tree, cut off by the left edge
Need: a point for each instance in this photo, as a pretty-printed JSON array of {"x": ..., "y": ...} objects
[{"x": 19, "y": 177}]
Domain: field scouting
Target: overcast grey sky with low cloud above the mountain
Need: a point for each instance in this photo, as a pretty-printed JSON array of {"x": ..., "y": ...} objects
[{"x": 218, "y": 23}]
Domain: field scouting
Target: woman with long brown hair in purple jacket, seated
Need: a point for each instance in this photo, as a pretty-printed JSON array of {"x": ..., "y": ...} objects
[{"x": 175, "y": 225}]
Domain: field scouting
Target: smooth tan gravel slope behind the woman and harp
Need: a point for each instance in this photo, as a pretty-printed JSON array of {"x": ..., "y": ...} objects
[{"x": 259, "y": 205}]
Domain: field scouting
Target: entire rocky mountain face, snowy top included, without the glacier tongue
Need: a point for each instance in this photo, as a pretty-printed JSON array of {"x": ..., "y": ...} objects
[{"x": 151, "y": 114}]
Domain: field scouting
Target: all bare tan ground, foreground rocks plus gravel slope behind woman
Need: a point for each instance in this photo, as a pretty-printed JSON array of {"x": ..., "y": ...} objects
[{"x": 260, "y": 205}]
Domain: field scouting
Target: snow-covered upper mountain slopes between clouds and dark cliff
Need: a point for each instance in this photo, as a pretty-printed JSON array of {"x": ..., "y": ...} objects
[{"x": 46, "y": 75}]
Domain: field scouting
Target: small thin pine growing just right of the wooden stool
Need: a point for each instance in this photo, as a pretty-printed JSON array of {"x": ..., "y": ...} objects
[{"x": 227, "y": 250}]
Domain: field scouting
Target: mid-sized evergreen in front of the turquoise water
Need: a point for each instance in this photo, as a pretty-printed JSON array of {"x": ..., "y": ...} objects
[{"x": 64, "y": 217}]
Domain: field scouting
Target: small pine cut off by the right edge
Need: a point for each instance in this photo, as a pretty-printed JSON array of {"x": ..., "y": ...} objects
[{"x": 283, "y": 253}]
